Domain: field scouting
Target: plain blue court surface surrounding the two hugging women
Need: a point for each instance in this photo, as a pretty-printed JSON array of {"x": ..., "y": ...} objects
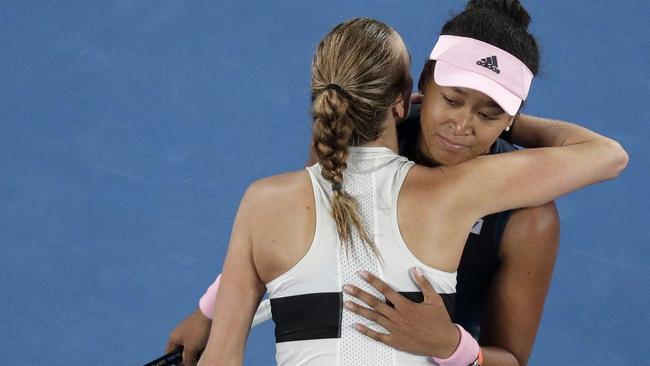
[{"x": 130, "y": 129}]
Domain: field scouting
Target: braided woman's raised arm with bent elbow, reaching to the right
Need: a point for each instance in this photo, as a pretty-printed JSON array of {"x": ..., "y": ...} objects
[{"x": 535, "y": 176}]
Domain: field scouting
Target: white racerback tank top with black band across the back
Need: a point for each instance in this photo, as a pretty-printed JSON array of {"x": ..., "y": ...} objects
[{"x": 312, "y": 328}]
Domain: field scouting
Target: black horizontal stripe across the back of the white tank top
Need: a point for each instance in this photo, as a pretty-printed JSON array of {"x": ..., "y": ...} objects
[{"x": 319, "y": 315}]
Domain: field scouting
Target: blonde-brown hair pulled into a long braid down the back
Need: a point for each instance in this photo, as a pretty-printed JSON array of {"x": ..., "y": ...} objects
[{"x": 357, "y": 75}]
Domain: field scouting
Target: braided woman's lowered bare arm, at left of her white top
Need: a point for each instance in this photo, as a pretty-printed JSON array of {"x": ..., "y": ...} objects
[{"x": 239, "y": 295}]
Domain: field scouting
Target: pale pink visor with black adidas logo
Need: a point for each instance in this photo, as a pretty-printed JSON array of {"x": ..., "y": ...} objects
[{"x": 470, "y": 63}]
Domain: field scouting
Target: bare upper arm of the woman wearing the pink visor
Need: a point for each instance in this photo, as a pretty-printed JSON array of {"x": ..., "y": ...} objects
[{"x": 516, "y": 295}]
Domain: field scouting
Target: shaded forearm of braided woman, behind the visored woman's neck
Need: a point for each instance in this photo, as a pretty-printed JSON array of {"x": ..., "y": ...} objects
[{"x": 531, "y": 131}]
